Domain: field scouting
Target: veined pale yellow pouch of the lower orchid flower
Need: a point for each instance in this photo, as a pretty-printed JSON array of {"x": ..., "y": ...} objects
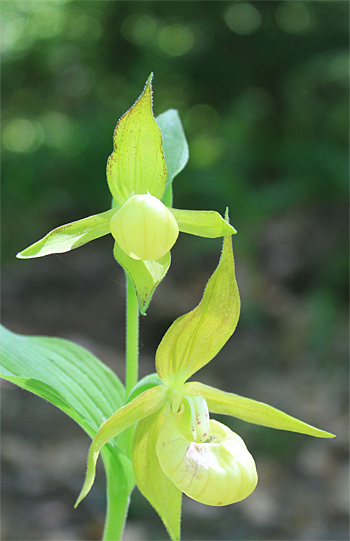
[{"x": 219, "y": 471}]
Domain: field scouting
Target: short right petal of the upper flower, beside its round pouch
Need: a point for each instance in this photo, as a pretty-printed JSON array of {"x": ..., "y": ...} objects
[{"x": 203, "y": 223}]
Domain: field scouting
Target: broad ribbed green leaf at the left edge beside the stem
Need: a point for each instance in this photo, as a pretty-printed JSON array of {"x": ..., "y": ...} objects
[{"x": 65, "y": 374}]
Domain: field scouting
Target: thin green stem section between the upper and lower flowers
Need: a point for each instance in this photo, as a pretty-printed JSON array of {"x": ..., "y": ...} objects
[{"x": 132, "y": 337}]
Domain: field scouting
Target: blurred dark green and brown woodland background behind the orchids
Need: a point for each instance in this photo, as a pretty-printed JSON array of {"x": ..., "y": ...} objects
[{"x": 262, "y": 91}]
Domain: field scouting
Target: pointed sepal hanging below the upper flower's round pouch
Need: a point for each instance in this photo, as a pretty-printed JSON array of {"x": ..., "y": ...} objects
[{"x": 145, "y": 275}]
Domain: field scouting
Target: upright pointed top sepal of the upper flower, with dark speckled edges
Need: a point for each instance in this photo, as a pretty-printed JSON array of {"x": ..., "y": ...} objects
[{"x": 137, "y": 164}]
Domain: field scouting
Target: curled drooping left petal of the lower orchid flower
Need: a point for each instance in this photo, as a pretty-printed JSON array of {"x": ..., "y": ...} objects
[{"x": 143, "y": 405}]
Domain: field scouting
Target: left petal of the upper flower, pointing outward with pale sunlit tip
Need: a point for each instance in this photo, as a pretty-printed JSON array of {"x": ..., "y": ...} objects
[{"x": 70, "y": 236}]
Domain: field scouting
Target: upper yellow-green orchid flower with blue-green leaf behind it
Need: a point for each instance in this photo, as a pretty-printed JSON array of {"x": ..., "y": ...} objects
[{"x": 141, "y": 219}]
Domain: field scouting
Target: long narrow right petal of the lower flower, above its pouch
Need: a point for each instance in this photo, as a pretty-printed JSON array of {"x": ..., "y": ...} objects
[{"x": 253, "y": 411}]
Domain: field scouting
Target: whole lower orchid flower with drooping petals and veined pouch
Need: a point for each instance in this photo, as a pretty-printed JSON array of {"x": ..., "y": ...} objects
[{"x": 176, "y": 447}]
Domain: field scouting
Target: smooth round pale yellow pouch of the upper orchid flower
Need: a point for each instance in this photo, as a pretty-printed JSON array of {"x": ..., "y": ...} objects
[{"x": 144, "y": 228}]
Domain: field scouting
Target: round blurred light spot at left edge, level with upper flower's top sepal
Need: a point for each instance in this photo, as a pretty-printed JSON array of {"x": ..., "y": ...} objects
[{"x": 22, "y": 135}]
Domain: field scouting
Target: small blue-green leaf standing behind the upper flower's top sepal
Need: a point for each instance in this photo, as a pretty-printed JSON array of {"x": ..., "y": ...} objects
[{"x": 175, "y": 148}]
